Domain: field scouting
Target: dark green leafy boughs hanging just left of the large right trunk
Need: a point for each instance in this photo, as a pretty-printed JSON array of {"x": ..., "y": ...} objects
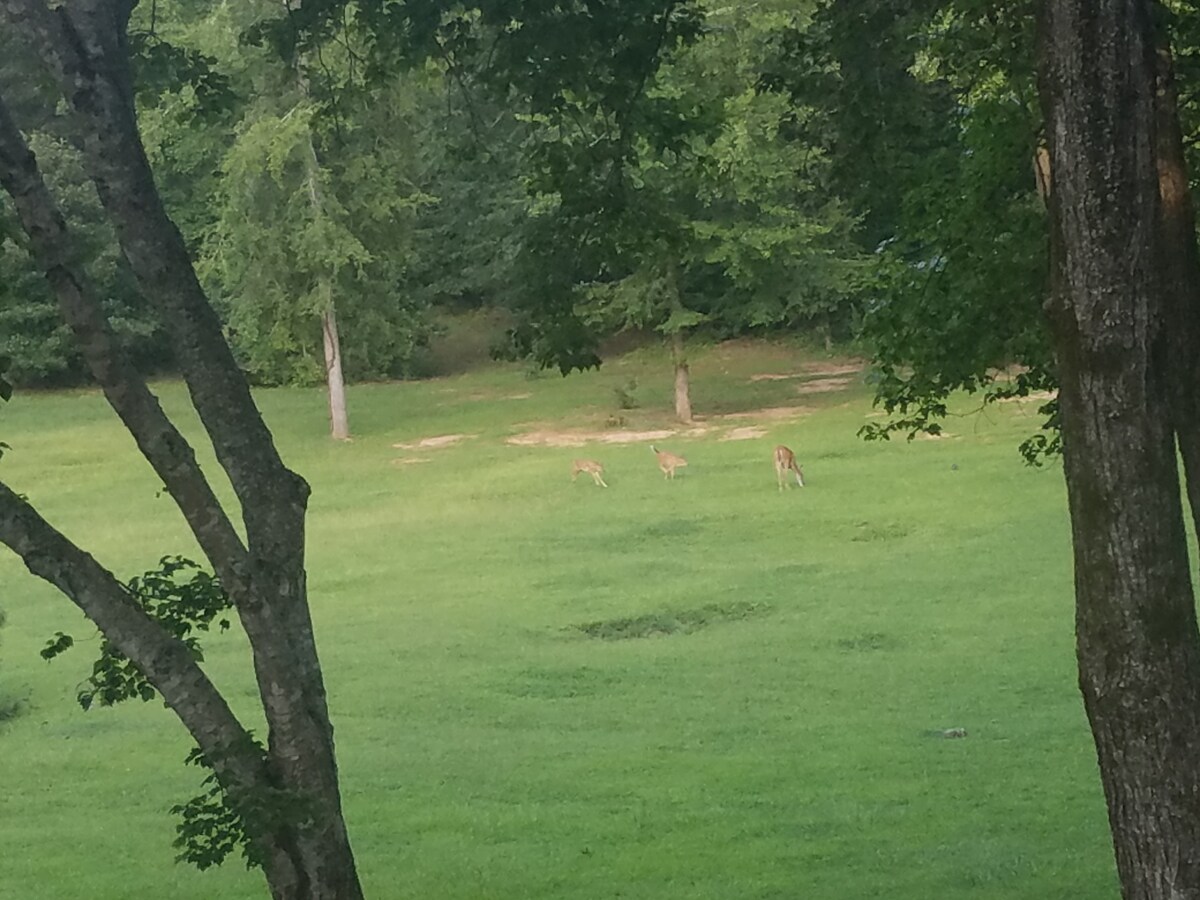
[{"x": 935, "y": 136}]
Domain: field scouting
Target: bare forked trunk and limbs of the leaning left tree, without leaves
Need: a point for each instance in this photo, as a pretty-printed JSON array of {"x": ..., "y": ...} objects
[{"x": 308, "y": 855}]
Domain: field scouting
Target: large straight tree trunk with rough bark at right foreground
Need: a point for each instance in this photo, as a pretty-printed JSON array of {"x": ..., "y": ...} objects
[{"x": 1137, "y": 638}]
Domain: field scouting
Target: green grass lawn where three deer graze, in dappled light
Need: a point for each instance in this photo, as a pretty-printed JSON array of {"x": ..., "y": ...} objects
[{"x": 758, "y": 713}]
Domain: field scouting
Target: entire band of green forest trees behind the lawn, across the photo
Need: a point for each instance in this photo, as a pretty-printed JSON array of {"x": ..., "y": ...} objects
[{"x": 842, "y": 169}]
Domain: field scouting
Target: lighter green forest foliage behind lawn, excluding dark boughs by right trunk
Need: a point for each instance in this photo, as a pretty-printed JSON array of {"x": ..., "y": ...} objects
[{"x": 637, "y": 170}]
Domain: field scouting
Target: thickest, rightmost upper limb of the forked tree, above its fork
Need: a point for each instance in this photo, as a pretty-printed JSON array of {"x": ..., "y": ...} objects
[{"x": 81, "y": 43}]
